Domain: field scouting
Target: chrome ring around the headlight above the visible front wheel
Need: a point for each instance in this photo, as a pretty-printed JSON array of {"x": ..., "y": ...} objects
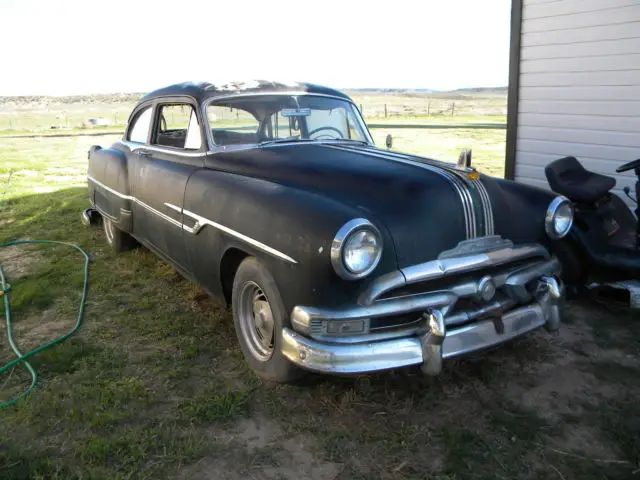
[{"x": 342, "y": 237}]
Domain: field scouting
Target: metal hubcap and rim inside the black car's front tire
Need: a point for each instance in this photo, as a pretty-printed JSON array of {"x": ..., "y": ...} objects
[{"x": 256, "y": 321}]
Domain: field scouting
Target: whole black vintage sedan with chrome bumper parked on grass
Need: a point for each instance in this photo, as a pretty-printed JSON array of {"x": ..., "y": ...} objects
[{"x": 336, "y": 256}]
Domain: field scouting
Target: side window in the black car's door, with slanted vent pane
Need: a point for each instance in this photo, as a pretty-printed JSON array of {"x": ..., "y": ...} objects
[{"x": 178, "y": 127}]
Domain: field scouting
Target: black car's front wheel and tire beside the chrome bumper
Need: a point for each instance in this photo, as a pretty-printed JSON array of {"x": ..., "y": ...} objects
[{"x": 258, "y": 317}]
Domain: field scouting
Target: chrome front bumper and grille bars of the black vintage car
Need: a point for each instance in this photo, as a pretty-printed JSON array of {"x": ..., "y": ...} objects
[{"x": 532, "y": 298}]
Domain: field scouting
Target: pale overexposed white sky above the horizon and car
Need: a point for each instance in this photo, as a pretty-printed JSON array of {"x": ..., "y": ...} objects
[{"x": 65, "y": 47}]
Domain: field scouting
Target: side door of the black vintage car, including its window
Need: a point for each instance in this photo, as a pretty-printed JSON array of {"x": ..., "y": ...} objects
[{"x": 159, "y": 172}]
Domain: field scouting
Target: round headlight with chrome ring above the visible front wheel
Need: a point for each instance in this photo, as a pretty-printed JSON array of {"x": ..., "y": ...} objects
[{"x": 356, "y": 249}]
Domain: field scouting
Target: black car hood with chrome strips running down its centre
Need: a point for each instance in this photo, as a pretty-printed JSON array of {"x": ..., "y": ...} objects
[{"x": 426, "y": 206}]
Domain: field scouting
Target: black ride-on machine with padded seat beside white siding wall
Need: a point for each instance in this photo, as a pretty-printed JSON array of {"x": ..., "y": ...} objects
[{"x": 602, "y": 252}]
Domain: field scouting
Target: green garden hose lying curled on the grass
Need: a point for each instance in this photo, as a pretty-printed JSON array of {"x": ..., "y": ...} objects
[{"x": 22, "y": 358}]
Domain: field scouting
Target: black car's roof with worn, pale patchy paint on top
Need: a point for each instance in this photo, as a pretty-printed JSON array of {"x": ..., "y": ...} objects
[{"x": 201, "y": 91}]
